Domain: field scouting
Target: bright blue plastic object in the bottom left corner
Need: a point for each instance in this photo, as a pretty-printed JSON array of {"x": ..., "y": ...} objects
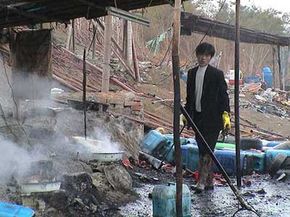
[{"x": 13, "y": 210}]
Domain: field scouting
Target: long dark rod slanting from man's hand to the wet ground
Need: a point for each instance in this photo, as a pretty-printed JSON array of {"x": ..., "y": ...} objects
[{"x": 218, "y": 164}]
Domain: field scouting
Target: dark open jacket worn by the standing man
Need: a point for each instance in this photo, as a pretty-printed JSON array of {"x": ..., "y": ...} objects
[{"x": 214, "y": 99}]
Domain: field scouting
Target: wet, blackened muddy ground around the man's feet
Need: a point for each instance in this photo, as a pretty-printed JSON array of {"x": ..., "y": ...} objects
[{"x": 268, "y": 196}]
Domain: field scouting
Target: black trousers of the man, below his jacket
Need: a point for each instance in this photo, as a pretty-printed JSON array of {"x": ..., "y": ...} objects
[{"x": 209, "y": 134}]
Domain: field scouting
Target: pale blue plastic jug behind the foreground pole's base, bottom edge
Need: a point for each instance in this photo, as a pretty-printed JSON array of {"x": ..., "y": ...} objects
[{"x": 164, "y": 197}]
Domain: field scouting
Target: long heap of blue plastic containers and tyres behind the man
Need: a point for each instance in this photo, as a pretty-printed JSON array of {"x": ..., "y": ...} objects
[{"x": 257, "y": 156}]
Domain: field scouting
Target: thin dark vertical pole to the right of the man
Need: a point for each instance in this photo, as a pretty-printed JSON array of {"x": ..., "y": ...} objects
[{"x": 237, "y": 91}]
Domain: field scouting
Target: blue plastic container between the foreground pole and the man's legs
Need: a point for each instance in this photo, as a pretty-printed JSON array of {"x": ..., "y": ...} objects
[{"x": 190, "y": 156}]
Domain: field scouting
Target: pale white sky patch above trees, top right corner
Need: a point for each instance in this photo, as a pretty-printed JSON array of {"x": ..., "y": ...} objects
[{"x": 279, "y": 5}]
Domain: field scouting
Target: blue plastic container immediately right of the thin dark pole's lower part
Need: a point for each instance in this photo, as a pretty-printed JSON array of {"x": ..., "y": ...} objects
[{"x": 255, "y": 161}]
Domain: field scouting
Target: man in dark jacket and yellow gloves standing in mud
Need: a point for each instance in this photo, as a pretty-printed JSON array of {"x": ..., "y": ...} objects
[{"x": 207, "y": 103}]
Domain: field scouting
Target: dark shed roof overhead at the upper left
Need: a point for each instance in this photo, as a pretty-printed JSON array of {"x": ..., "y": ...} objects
[{"x": 24, "y": 12}]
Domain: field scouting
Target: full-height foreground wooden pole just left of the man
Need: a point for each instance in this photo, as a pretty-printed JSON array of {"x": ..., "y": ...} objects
[{"x": 176, "y": 84}]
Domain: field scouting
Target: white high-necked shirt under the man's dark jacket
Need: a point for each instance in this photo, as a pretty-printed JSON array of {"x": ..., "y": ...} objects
[{"x": 198, "y": 86}]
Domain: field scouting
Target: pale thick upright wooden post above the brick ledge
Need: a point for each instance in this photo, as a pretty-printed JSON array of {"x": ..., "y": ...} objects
[{"x": 107, "y": 54}]
